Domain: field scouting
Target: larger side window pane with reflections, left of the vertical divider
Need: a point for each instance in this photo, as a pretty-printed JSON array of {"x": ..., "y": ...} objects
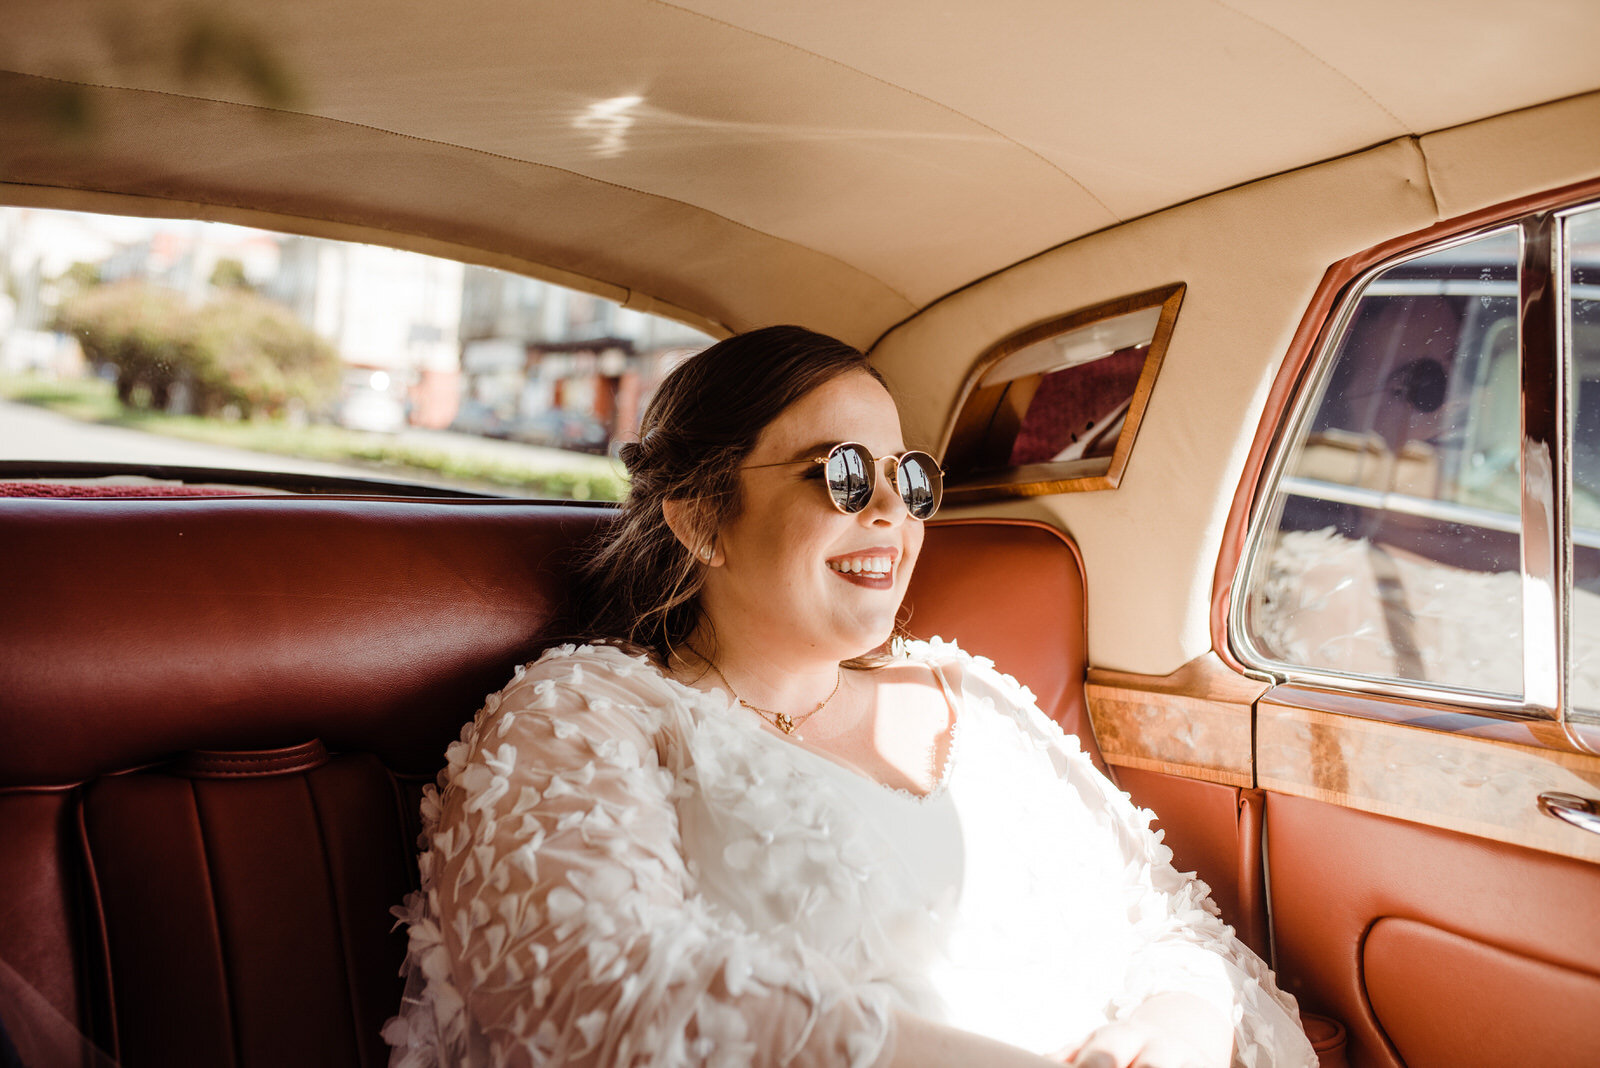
[{"x": 1393, "y": 538}]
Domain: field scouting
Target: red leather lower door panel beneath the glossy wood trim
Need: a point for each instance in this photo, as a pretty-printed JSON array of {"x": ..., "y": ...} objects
[{"x": 1434, "y": 947}]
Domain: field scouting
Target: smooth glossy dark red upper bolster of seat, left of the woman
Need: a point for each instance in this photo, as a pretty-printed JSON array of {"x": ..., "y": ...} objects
[{"x": 142, "y": 629}]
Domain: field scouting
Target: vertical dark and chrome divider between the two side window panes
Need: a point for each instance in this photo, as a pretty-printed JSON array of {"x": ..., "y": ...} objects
[{"x": 1545, "y": 472}]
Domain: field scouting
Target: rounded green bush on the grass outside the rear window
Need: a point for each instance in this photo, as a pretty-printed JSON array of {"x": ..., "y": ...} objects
[{"x": 238, "y": 353}]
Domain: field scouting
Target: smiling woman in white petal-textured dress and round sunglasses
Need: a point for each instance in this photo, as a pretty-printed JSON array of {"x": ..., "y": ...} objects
[{"x": 743, "y": 826}]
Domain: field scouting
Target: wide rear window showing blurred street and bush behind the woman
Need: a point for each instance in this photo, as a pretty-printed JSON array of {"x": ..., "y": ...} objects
[{"x": 151, "y": 353}]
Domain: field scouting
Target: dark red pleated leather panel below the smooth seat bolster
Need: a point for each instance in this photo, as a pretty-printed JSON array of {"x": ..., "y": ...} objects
[{"x": 246, "y": 907}]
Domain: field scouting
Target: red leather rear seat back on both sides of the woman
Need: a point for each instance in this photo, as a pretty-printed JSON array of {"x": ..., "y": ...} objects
[{"x": 233, "y": 909}]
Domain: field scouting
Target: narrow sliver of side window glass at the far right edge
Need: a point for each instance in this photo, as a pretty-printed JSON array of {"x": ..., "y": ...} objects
[{"x": 1583, "y": 335}]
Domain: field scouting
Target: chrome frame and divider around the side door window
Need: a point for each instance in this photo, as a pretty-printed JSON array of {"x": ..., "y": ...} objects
[{"x": 1545, "y": 357}]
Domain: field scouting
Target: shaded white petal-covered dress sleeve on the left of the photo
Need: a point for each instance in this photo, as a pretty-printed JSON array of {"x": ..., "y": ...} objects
[{"x": 559, "y": 922}]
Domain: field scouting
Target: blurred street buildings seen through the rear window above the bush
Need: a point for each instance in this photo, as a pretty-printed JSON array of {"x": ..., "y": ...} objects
[{"x": 426, "y": 343}]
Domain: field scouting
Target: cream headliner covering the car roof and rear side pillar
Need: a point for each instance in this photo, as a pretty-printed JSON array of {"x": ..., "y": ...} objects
[{"x": 886, "y": 170}]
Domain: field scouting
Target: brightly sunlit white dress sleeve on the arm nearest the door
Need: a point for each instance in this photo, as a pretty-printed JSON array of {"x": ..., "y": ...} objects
[{"x": 1182, "y": 941}]
